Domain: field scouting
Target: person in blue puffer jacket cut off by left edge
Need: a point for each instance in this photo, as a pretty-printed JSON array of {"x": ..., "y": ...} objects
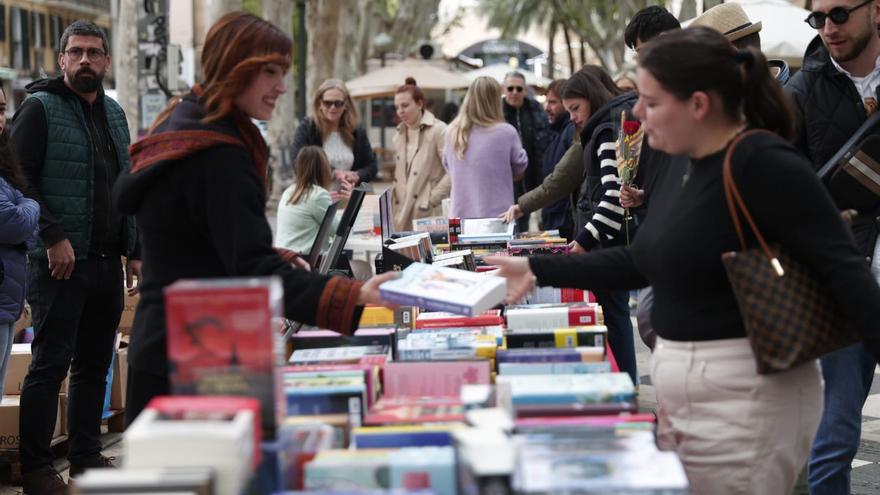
[{"x": 19, "y": 218}]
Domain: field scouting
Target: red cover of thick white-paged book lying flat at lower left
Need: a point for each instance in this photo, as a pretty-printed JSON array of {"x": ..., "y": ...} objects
[{"x": 185, "y": 407}]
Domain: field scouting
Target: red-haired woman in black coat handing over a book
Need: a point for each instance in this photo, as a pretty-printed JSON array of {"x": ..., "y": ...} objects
[{"x": 198, "y": 189}]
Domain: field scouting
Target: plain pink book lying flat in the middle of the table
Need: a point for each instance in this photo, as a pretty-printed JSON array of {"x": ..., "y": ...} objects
[{"x": 434, "y": 378}]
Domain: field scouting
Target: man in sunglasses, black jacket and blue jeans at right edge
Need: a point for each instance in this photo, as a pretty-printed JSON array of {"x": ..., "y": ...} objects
[{"x": 835, "y": 92}]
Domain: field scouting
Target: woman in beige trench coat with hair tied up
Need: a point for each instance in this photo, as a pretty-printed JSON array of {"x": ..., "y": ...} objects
[{"x": 420, "y": 181}]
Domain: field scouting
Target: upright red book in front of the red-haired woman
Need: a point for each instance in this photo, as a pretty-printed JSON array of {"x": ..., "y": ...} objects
[{"x": 220, "y": 341}]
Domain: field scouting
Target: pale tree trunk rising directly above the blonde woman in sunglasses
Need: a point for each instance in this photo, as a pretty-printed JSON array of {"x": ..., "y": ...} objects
[{"x": 322, "y": 21}]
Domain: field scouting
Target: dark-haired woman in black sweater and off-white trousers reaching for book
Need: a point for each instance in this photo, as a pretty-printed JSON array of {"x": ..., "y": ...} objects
[{"x": 735, "y": 431}]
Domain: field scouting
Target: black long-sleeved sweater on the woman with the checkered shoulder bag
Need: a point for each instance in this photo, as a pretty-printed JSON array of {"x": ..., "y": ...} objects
[{"x": 678, "y": 249}]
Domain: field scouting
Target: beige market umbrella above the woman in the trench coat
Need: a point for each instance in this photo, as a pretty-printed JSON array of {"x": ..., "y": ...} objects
[{"x": 385, "y": 81}]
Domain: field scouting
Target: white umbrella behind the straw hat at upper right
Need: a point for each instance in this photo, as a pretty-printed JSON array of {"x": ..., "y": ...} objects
[{"x": 784, "y": 34}]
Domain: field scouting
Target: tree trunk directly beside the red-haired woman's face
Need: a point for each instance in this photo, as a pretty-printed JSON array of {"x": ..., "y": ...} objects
[{"x": 280, "y": 134}]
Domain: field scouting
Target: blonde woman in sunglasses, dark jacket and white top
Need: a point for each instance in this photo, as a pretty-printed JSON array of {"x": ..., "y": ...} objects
[{"x": 334, "y": 125}]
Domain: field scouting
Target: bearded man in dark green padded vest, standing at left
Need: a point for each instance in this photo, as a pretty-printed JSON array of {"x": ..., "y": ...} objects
[{"x": 72, "y": 142}]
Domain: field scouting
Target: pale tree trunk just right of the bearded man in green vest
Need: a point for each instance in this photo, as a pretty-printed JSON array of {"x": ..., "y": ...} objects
[{"x": 125, "y": 63}]
